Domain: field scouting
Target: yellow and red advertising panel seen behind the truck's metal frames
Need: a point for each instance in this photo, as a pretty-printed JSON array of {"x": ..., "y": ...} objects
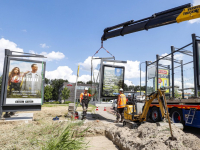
[{"x": 163, "y": 79}]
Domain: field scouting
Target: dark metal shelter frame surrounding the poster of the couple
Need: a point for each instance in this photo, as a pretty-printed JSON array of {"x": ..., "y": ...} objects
[{"x": 10, "y": 108}]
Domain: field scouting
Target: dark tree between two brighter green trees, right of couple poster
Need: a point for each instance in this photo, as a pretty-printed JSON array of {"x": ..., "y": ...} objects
[{"x": 57, "y": 84}]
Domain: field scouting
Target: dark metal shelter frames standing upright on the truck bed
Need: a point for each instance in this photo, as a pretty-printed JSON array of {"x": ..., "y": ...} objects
[{"x": 196, "y": 63}]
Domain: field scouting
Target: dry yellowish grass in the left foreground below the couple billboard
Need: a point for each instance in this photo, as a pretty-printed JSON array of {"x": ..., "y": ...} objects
[{"x": 41, "y": 133}]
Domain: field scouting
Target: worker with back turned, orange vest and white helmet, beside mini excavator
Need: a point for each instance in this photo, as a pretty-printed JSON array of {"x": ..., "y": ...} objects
[{"x": 121, "y": 103}]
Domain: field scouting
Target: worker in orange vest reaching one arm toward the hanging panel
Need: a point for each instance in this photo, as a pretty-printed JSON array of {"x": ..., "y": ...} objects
[{"x": 84, "y": 100}]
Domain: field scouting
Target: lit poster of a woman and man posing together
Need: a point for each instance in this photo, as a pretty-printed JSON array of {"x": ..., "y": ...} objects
[{"x": 24, "y": 82}]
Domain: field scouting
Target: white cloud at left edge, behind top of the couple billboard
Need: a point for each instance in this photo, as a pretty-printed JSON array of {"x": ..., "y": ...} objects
[{"x": 6, "y": 44}]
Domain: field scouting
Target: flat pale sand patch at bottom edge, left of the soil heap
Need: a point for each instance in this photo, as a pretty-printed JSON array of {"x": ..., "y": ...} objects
[{"x": 100, "y": 143}]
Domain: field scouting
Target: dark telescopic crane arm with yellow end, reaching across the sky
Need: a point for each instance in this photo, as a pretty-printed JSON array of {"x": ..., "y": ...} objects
[{"x": 174, "y": 15}]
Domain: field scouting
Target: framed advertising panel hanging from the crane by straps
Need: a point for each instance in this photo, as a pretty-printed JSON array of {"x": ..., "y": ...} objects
[{"x": 112, "y": 80}]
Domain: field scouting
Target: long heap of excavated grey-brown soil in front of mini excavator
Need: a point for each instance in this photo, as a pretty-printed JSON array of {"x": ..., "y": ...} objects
[{"x": 146, "y": 136}]
